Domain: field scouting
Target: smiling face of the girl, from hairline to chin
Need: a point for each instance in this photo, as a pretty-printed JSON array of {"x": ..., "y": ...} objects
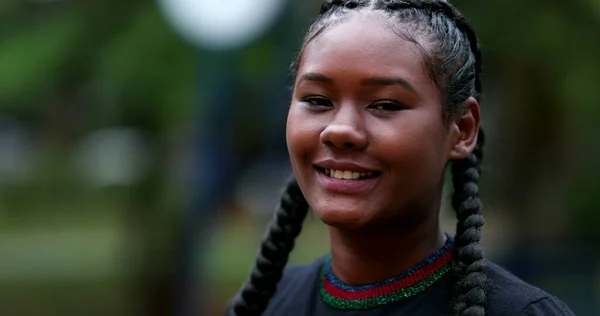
[{"x": 365, "y": 132}]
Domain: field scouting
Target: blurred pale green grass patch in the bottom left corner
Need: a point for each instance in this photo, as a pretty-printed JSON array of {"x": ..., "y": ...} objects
[{"x": 53, "y": 263}]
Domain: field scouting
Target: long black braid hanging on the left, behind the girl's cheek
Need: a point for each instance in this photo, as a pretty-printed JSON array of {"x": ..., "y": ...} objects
[{"x": 273, "y": 255}]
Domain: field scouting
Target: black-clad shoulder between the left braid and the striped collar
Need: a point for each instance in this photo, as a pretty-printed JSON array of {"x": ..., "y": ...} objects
[{"x": 296, "y": 289}]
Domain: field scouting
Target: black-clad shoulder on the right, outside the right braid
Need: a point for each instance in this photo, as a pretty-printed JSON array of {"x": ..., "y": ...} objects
[{"x": 509, "y": 295}]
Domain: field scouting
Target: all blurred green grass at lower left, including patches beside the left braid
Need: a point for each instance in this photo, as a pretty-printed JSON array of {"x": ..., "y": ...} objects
[{"x": 66, "y": 263}]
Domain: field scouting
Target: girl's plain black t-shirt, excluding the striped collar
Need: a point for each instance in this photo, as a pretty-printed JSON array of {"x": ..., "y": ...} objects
[{"x": 298, "y": 295}]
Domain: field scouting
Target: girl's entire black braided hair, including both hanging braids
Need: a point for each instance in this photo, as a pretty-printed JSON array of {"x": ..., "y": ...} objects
[{"x": 453, "y": 58}]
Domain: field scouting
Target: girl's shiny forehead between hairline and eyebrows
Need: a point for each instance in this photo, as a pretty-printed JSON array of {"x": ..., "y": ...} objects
[{"x": 364, "y": 44}]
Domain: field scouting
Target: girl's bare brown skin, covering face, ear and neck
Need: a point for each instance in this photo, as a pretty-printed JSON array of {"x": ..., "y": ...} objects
[{"x": 364, "y": 102}]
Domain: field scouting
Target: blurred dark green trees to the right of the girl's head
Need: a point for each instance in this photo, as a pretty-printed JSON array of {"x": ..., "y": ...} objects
[{"x": 541, "y": 65}]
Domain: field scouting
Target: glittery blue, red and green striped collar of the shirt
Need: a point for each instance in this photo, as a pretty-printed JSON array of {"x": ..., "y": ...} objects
[{"x": 417, "y": 279}]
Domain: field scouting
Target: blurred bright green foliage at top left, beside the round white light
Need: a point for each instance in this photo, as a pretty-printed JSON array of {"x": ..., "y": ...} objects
[{"x": 144, "y": 63}]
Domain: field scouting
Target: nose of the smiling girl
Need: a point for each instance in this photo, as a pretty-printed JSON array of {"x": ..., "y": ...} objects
[{"x": 345, "y": 131}]
